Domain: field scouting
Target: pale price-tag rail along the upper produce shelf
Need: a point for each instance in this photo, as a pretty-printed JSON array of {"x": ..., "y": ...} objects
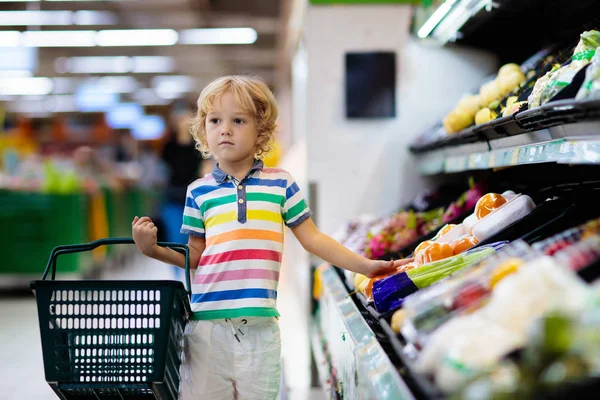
[{"x": 561, "y": 151}]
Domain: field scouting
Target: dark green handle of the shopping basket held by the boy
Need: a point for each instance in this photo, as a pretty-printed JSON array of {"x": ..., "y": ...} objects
[{"x": 78, "y": 248}]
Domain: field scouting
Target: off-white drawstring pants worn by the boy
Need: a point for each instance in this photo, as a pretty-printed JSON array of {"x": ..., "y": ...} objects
[{"x": 238, "y": 358}]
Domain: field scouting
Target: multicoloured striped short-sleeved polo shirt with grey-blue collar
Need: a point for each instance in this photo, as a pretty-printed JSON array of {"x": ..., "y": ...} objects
[{"x": 243, "y": 223}]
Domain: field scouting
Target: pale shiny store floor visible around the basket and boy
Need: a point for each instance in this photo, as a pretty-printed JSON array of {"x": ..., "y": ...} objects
[{"x": 21, "y": 367}]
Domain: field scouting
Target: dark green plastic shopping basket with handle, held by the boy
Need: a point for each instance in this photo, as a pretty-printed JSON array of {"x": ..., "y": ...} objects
[{"x": 112, "y": 339}]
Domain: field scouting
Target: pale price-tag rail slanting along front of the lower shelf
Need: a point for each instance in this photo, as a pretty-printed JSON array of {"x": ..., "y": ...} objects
[{"x": 361, "y": 365}]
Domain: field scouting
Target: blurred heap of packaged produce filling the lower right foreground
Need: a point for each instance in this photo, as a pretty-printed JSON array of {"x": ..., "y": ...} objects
[{"x": 508, "y": 295}]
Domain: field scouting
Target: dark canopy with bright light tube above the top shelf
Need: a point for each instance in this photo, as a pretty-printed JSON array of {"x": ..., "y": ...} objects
[{"x": 483, "y": 23}]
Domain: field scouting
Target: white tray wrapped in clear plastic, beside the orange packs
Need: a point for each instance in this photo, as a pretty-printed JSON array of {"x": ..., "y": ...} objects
[{"x": 517, "y": 208}]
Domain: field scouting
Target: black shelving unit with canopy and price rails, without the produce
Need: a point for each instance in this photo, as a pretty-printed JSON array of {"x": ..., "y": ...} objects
[{"x": 563, "y": 133}]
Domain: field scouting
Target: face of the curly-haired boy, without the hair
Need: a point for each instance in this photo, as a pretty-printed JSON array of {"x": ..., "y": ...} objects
[{"x": 231, "y": 132}]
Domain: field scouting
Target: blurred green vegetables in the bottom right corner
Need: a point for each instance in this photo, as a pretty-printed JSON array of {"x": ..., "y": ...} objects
[{"x": 562, "y": 349}]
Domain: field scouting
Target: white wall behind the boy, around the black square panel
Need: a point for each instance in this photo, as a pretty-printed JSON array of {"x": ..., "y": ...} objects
[{"x": 363, "y": 166}]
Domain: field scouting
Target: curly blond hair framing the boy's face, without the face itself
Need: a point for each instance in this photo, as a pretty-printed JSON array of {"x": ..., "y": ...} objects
[{"x": 253, "y": 95}]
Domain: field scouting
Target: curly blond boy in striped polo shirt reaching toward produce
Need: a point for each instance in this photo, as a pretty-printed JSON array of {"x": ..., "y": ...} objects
[{"x": 235, "y": 221}]
